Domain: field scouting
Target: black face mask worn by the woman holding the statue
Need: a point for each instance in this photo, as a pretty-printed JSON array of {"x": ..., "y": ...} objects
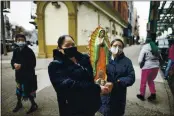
[{"x": 70, "y": 52}]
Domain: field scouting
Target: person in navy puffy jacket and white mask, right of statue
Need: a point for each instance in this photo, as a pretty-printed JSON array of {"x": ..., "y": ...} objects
[{"x": 121, "y": 73}]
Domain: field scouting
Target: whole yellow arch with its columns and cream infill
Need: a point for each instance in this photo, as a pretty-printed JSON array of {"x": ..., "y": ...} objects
[{"x": 53, "y": 22}]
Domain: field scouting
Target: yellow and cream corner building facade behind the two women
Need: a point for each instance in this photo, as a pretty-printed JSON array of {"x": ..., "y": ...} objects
[{"x": 78, "y": 19}]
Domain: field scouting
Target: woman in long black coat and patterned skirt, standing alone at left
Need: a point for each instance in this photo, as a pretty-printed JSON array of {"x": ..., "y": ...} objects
[{"x": 23, "y": 62}]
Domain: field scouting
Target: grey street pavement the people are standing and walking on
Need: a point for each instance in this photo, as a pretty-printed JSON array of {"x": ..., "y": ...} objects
[{"x": 46, "y": 96}]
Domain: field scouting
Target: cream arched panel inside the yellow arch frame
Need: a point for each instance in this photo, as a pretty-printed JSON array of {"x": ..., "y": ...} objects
[{"x": 56, "y": 24}]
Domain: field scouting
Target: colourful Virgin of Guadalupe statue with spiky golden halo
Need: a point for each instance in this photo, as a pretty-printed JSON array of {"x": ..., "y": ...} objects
[{"x": 99, "y": 46}]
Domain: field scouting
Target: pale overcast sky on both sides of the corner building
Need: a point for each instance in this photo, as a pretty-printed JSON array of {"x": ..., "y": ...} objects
[{"x": 21, "y": 12}]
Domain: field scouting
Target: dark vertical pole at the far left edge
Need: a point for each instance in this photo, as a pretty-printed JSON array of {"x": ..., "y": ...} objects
[{"x": 3, "y": 29}]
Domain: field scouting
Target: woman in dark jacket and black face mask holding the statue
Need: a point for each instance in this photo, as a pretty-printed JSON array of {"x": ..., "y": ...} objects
[{"x": 71, "y": 75}]
